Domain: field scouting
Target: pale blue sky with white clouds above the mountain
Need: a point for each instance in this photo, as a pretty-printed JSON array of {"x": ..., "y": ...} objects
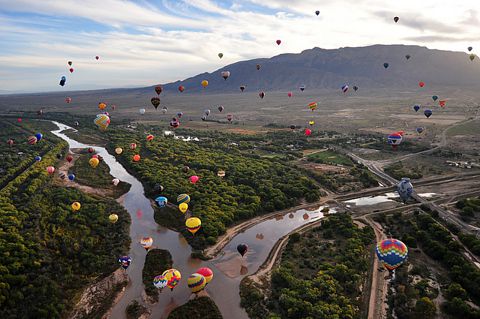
[{"x": 142, "y": 43}]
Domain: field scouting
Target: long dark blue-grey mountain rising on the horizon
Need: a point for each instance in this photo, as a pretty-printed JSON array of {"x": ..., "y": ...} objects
[{"x": 362, "y": 66}]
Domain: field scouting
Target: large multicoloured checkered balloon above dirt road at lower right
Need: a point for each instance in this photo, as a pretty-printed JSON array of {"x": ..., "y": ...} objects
[{"x": 392, "y": 253}]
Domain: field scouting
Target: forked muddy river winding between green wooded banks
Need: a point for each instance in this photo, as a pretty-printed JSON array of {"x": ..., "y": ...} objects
[{"x": 229, "y": 267}]
